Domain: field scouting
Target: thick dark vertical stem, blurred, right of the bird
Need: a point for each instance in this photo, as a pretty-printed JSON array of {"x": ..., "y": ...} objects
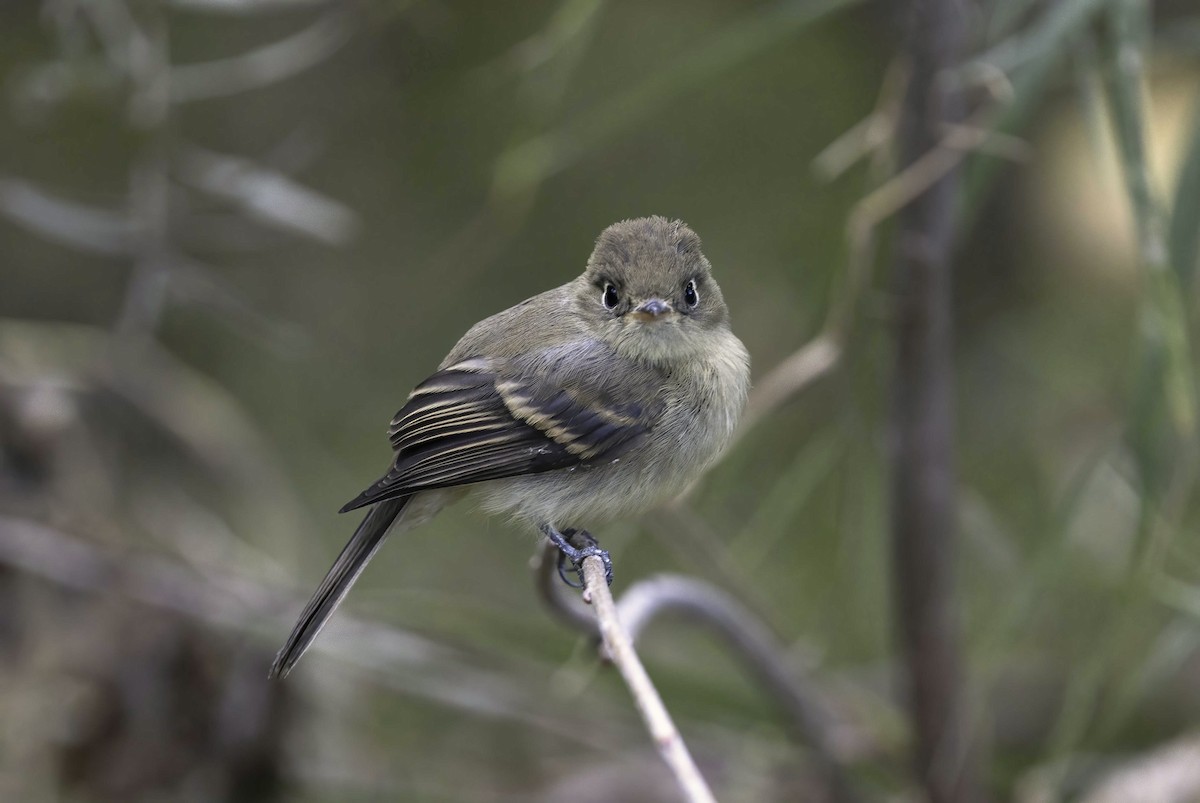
[{"x": 923, "y": 486}]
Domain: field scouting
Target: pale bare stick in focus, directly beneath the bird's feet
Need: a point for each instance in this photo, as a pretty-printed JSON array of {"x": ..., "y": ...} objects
[{"x": 658, "y": 722}]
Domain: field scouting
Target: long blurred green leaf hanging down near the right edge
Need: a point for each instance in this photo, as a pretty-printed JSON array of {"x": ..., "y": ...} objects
[{"x": 1163, "y": 411}]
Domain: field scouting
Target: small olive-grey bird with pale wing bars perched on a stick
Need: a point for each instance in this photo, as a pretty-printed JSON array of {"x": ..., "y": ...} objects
[{"x": 593, "y": 400}]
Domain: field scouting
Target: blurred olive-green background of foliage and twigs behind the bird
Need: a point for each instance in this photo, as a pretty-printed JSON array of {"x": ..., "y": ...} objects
[{"x": 236, "y": 233}]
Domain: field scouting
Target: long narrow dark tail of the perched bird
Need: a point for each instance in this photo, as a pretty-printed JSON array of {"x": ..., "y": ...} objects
[{"x": 346, "y": 570}]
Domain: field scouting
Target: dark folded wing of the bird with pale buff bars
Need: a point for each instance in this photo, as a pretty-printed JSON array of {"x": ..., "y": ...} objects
[{"x": 484, "y": 420}]
